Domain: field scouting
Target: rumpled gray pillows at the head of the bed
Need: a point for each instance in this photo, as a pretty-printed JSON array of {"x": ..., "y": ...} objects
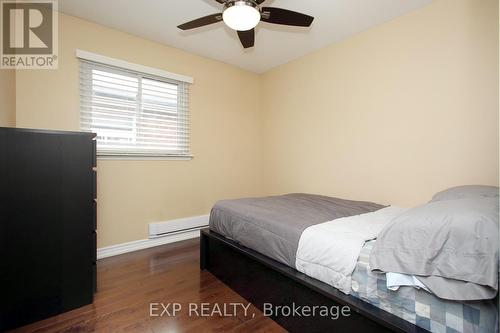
[{"x": 453, "y": 241}]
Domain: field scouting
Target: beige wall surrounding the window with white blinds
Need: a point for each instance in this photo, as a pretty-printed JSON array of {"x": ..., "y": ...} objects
[{"x": 225, "y": 125}]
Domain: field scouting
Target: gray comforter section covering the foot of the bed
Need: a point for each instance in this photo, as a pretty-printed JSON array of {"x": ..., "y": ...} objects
[{"x": 273, "y": 225}]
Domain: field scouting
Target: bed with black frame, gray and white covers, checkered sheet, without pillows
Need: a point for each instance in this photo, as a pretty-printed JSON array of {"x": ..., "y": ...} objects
[{"x": 257, "y": 247}]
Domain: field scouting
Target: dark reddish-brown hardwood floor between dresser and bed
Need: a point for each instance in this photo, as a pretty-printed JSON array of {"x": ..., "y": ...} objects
[{"x": 128, "y": 283}]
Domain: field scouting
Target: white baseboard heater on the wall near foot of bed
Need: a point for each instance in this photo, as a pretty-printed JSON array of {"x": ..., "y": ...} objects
[{"x": 161, "y": 229}]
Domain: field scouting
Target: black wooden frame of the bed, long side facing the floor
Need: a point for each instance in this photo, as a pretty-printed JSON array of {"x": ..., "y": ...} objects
[{"x": 260, "y": 280}]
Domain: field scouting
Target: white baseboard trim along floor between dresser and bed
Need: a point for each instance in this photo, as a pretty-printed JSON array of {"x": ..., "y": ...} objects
[{"x": 115, "y": 250}]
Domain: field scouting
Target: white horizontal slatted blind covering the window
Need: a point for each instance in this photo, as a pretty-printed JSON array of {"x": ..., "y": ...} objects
[{"x": 133, "y": 113}]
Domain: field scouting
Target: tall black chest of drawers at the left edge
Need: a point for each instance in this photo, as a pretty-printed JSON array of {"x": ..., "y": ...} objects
[{"x": 47, "y": 223}]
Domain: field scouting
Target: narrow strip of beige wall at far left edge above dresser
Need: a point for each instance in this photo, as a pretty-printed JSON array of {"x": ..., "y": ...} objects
[{"x": 7, "y": 98}]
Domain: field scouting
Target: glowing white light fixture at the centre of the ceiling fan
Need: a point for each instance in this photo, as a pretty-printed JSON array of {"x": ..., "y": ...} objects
[{"x": 241, "y": 15}]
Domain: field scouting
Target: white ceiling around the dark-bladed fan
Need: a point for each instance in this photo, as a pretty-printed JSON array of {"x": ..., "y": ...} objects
[{"x": 274, "y": 44}]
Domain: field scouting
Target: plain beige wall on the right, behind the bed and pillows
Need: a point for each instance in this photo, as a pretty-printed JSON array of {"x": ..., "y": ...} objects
[{"x": 392, "y": 114}]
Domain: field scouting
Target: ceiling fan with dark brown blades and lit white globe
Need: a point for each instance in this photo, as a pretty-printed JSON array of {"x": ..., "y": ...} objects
[{"x": 244, "y": 15}]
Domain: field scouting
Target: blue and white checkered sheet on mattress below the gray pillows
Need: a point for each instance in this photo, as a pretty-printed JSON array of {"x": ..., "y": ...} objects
[{"x": 420, "y": 307}]
